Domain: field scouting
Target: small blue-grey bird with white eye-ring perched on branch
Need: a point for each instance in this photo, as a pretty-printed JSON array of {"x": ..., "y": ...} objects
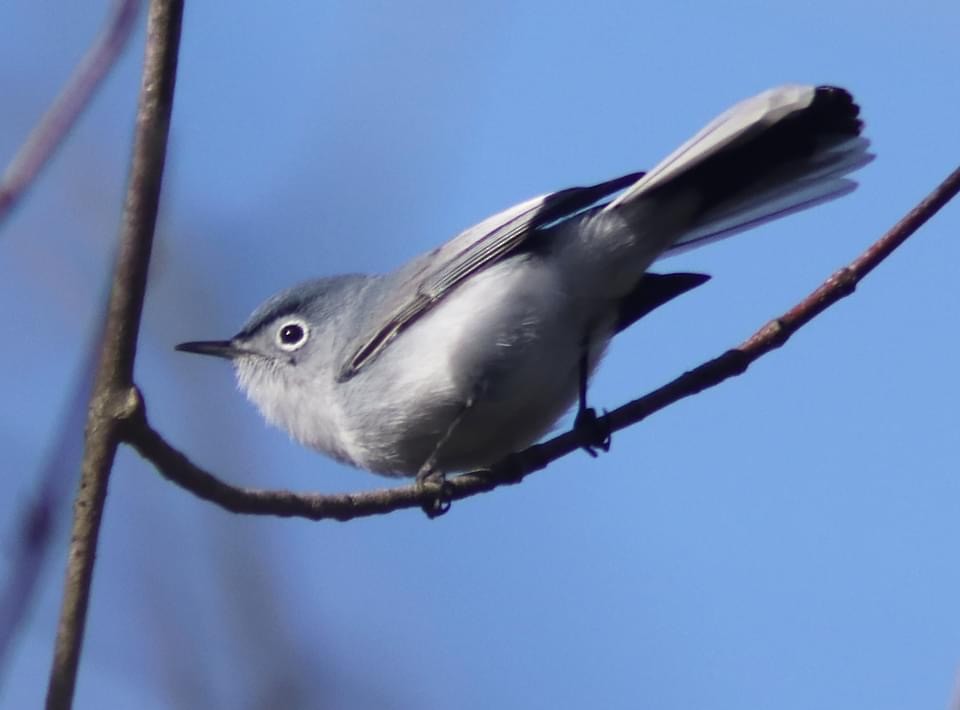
[{"x": 474, "y": 350}]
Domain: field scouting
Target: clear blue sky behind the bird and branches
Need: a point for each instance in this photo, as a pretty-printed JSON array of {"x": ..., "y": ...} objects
[{"x": 786, "y": 540}]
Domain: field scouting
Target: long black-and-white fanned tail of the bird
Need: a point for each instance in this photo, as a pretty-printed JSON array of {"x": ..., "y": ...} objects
[{"x": 779, "y": 152}]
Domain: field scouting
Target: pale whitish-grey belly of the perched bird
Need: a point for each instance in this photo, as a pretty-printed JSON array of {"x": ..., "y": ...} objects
[{"x": 484, "y": 374}]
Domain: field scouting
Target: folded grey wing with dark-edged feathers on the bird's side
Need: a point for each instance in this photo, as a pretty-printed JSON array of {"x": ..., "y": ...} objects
[{"x": 434, "y": 276}]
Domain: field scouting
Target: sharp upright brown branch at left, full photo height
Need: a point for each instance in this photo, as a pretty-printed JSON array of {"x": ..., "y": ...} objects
[{"x": 114, "y": 398}]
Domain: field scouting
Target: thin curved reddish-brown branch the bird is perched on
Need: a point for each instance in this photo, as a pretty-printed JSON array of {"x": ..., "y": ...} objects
[{"x": 176, "y": 467}]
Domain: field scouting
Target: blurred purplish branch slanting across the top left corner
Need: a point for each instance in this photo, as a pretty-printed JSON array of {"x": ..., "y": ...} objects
[{"x": 49, "y": 133}]
